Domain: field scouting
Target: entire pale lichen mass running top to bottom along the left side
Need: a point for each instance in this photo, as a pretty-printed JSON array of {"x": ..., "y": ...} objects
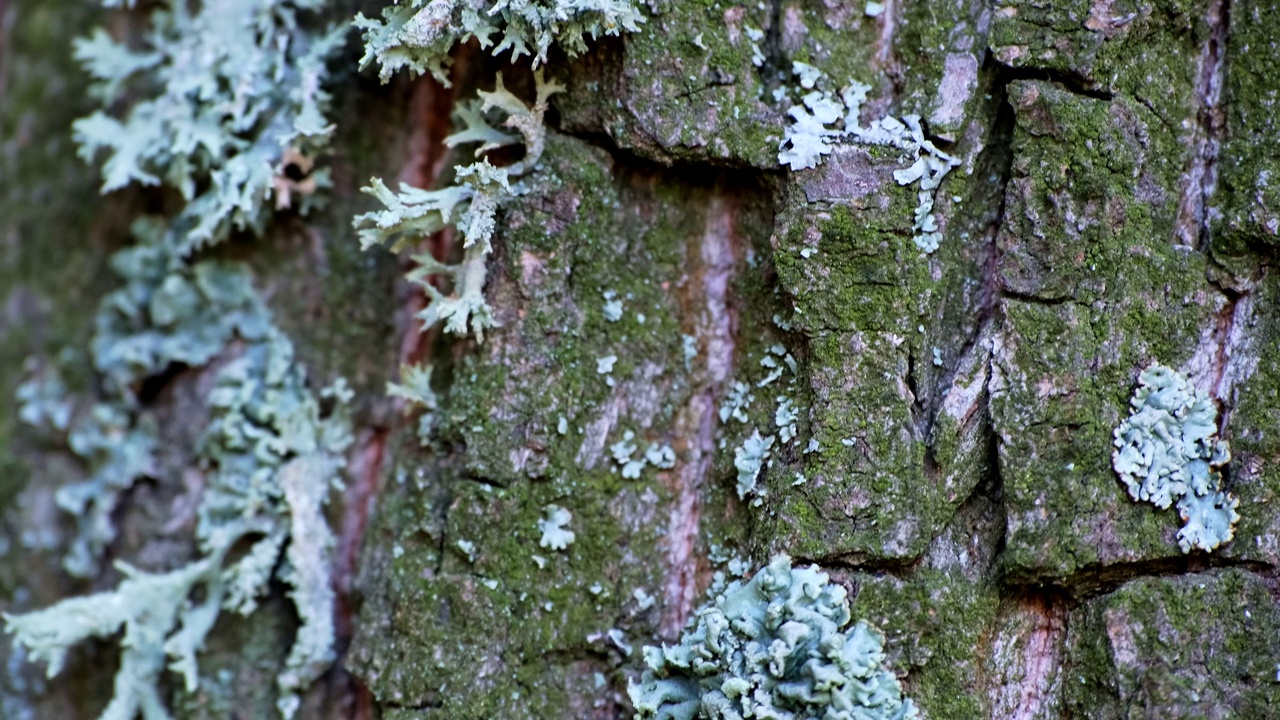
[{"x": 232, "y": 93}]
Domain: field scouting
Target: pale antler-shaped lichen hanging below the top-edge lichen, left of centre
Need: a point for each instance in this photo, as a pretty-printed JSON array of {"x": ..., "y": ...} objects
[{"x": 472, "y": 207}]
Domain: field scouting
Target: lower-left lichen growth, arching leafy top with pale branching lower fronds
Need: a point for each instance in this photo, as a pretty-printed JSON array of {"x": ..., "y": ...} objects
[{"x": 269, "y": 459}]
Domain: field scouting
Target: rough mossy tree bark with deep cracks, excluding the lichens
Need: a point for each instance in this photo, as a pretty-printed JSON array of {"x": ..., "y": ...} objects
[{"x": 1118, "y": 204}]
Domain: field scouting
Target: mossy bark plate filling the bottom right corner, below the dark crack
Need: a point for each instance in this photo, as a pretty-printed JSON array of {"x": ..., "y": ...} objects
[{"x": 1194, "y": 646}]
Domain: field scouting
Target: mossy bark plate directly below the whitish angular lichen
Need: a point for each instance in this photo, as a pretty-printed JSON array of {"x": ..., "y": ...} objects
[{"x": 895, "y": 399}]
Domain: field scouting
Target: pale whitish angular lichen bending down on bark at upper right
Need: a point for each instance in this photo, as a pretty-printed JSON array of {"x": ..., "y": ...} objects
[{"x": 821, "y": 121}]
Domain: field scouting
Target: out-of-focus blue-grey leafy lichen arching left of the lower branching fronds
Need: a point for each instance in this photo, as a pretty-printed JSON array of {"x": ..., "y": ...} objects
[{"x": 159, "y": 318}]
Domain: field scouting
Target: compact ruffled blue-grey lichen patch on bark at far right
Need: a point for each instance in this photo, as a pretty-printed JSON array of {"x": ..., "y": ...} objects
[{"x": 1168, "y": 452}]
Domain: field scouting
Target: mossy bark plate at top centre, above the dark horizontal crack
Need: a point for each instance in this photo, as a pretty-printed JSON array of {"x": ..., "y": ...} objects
[{"x": 687, "y": 89}]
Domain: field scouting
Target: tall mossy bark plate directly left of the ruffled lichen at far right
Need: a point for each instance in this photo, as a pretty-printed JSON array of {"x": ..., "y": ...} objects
[{"x": 1096, "y": 291}]
